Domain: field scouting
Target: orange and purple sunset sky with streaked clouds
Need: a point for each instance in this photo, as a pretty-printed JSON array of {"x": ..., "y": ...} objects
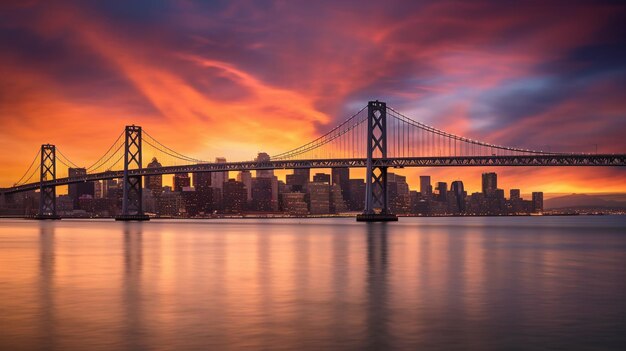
[{"x": 233, "y": 78}]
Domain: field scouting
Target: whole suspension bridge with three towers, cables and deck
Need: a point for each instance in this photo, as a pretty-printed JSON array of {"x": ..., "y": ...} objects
[{"x": 375, "y": 138}]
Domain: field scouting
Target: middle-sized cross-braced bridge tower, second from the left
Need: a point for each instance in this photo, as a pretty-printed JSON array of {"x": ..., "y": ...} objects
[{"x": 132, "y": 204}]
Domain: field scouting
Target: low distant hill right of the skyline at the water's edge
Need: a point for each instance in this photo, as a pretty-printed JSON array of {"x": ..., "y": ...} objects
[{"x": 606, "y": 201}]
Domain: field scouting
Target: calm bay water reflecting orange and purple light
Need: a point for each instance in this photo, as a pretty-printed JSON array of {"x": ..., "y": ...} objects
[{"x": 315, "y": 284}]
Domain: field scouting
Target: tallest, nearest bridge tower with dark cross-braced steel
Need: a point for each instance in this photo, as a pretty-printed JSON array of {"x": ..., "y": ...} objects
[{"x": 376, "y": 201}]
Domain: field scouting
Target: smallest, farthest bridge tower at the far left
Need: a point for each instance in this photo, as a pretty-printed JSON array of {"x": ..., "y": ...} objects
[{"x": 47, "y": 194}]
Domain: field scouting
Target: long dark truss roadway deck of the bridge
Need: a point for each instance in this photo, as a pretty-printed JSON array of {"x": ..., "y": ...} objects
[{"x": 602, "y": 160}]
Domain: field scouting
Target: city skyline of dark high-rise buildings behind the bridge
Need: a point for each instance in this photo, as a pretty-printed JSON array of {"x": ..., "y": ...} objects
[{"x": 306, "y": 192}]
